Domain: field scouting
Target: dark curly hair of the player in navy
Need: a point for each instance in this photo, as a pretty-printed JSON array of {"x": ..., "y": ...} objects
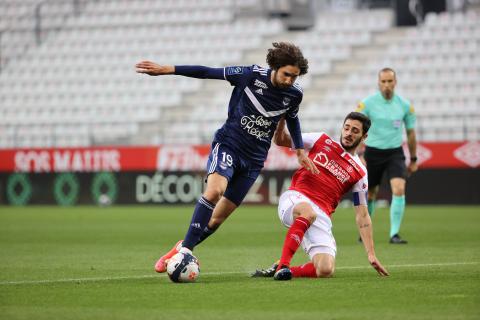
[{"x": 285, "y": 54}]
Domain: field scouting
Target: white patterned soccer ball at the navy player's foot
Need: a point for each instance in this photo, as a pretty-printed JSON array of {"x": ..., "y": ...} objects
[{"x": 183, "y": 267}]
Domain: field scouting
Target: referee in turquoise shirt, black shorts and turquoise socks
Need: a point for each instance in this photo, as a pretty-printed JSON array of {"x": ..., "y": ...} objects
[{"x": 389, "y": 113}]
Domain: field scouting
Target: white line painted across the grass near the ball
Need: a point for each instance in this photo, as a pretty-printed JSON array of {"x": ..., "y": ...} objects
[{"x": 149, "y": 276}]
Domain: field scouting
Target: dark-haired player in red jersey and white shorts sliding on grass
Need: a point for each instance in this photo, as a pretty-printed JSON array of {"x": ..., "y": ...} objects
[{"x": 307, "y": 206}]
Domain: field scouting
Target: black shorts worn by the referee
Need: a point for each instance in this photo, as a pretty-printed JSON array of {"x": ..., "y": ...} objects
[{"x": 390, "y": 161}]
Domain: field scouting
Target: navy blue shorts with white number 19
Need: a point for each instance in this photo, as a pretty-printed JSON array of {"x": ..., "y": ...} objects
[{"x": 240, "y": 173}]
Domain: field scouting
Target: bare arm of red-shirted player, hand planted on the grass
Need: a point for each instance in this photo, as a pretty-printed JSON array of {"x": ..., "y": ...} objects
[{"x": 364, "y": 224}]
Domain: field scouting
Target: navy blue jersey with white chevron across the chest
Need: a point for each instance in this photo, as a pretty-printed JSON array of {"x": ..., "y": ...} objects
[{"x": 254, "y": 110}]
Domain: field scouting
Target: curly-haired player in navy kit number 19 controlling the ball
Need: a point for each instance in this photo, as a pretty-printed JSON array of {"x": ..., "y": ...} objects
[{"x": 260, "y": 98}]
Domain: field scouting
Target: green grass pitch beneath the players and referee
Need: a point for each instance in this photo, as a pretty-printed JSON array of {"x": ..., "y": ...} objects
[{"x": 97, "y": 263}]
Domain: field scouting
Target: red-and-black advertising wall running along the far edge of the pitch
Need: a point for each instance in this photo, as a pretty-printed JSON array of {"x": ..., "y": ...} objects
[{"x": 448, "y": 174}]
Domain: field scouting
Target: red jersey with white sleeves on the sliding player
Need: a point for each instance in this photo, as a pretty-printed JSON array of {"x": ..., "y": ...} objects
[{"x": 340, "y": 172}]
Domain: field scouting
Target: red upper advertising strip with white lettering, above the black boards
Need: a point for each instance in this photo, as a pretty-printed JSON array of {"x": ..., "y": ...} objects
[{"x": 194, "y": 158}]
